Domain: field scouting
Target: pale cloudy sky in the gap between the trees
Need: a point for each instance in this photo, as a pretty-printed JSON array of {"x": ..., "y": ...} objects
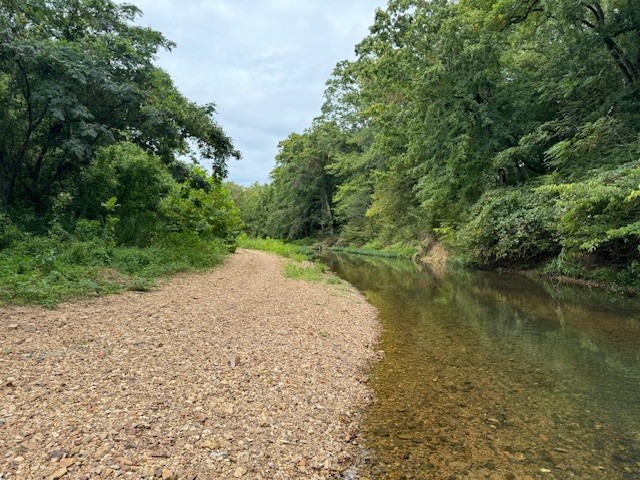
[{"x": 264, "y": 63}]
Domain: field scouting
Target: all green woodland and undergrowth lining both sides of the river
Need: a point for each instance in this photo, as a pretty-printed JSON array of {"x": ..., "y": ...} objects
[{"x": 507, "y": 131}]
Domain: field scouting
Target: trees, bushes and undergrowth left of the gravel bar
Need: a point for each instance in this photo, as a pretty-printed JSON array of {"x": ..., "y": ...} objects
[{"x": 91, "y": 137}]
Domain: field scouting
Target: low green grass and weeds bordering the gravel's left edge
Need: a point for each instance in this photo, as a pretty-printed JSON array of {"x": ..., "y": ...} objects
[{"x": 48, "y": 270}]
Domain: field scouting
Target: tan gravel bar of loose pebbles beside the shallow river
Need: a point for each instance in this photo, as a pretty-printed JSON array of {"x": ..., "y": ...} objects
[{"x": 146, "y": 385}]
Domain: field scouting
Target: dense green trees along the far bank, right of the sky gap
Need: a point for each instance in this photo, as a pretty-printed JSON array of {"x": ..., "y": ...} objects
[{"x": 509, "y": 130}]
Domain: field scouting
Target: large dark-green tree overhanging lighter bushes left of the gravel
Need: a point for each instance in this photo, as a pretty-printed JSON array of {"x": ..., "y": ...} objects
[{"x": 77, "y": 75}]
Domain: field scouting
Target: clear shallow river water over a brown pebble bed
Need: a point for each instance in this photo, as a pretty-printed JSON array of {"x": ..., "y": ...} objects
[{"x": 496, "y": 376}]
